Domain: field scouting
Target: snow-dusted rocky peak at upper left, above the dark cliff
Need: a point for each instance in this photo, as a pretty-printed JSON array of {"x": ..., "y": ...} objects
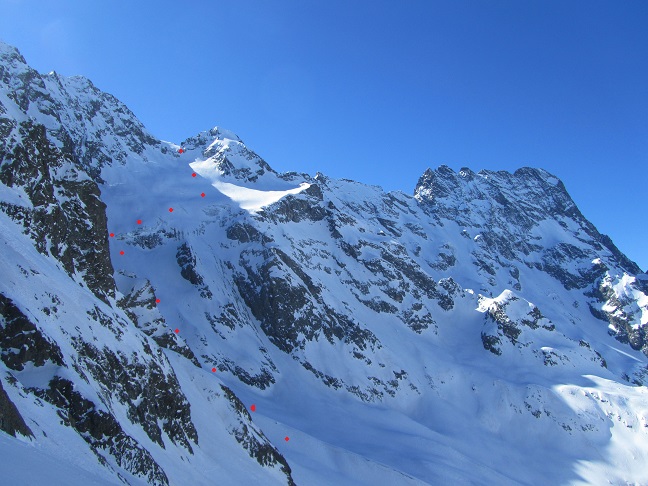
[{"x": 92, "y": 126}]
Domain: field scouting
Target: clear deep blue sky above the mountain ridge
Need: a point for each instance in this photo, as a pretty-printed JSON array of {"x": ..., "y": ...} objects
[{"x": 376, "y": 90}]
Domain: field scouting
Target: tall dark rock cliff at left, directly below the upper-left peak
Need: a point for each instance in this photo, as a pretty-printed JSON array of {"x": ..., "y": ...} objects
[{"x": 68, "y": 219}]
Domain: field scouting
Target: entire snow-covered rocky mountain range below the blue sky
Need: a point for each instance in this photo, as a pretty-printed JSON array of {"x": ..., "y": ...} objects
[{"x": 184, "y": 314}]
